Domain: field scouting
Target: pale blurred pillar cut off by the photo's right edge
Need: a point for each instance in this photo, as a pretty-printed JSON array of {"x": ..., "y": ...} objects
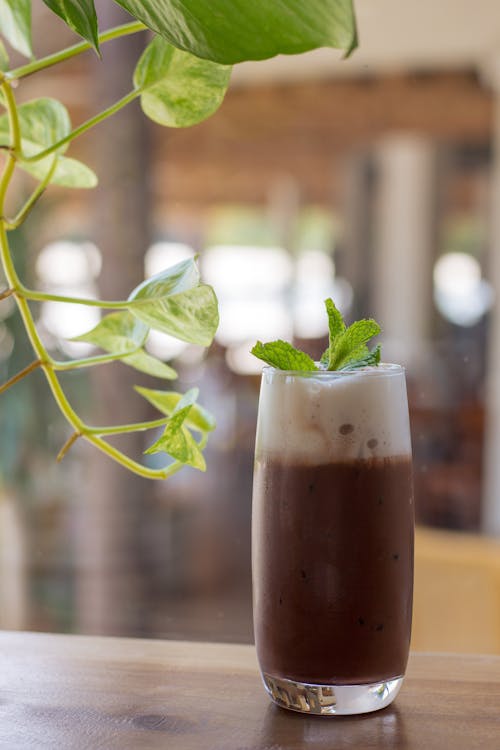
[{"x": 491, "y": 475}]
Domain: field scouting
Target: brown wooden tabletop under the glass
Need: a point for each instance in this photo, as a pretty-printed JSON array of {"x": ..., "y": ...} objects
[{"x": 72, "y": 692}]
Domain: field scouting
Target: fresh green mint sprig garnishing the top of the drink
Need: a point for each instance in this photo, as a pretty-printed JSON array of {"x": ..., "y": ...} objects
[{"x": 347, "y": 347}]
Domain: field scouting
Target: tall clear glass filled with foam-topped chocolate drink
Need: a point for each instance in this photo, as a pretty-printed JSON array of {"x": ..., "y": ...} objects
[{"x": 332, "y": 538}]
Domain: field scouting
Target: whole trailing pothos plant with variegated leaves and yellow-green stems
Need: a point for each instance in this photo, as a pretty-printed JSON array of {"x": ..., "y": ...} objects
[{"x": 181, "y": 78}]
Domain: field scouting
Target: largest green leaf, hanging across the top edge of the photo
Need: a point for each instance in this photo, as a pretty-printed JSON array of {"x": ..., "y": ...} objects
[{"x": 230, "y": 31}]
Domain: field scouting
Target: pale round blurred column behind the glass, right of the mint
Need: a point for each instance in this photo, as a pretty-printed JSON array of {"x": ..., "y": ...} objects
[{"x": 404, "y": 241}]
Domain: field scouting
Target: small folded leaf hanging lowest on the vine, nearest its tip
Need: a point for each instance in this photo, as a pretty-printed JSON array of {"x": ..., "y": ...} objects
[{"x": 176, "y": 440}]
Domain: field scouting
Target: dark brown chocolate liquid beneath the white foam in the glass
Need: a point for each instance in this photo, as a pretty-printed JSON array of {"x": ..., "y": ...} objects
[{"x": 333, "y": 602}]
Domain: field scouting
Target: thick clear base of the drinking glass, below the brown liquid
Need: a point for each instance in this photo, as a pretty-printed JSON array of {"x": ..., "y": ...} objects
[{"x": 331, "y": 700}]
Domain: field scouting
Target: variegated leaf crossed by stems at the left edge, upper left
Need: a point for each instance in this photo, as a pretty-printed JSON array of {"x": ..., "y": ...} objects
[{"x": 43, "y": 122}]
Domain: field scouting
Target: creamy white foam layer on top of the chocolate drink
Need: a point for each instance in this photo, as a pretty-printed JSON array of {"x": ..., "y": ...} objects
[{"x": 334, "y": 416}]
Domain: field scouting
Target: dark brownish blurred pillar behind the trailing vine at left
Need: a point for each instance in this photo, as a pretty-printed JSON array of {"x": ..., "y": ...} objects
[{"x": 110, "y": 586}]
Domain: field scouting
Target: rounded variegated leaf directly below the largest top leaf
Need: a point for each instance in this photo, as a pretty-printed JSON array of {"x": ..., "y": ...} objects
[{"x": 178, "y": 89}]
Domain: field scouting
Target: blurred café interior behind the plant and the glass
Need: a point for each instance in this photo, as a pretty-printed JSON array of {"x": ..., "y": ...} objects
[{"x": 375, "y": 181}]
